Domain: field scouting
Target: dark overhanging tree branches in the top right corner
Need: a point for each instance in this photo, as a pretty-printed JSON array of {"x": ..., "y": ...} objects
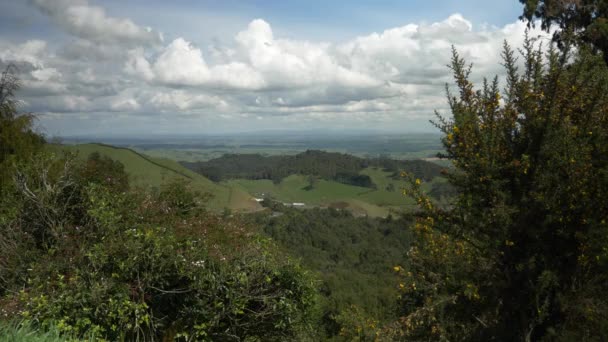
[{"x": 588, "y": 19}]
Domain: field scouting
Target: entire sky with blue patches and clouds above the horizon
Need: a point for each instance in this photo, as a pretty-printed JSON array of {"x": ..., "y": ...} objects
[{"x": 146, "y": 67}]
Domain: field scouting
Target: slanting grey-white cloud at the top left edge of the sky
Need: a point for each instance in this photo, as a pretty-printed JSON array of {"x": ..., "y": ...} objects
[{"x": 83, "y": 20}]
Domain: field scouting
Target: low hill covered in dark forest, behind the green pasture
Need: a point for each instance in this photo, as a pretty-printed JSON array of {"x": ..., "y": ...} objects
[{"x": 340, "y": 167}]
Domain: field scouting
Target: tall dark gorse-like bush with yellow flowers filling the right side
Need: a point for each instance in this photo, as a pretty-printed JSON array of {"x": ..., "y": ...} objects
[{"x": 521, "y": 253}]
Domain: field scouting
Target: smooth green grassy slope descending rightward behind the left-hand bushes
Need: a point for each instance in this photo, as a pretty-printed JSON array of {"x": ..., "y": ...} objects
[{"x": 153, "y": 172}]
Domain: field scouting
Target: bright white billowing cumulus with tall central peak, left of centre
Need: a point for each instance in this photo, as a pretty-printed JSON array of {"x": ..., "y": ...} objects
[{"x": 260, "y": 62}]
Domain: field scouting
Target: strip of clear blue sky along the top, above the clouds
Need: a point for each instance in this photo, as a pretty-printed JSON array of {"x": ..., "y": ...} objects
[{"x": 319, "y": 20}]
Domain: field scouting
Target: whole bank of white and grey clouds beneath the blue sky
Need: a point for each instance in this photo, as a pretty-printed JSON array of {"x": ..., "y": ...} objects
[{"x": 384, "y": 78}]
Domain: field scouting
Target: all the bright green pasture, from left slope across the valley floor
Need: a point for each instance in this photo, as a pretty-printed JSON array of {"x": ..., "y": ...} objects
[{"x": 236, "y": 194}]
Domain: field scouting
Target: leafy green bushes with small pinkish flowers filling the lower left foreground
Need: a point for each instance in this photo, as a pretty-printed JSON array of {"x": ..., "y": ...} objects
[{"x": 87, "y": 256}]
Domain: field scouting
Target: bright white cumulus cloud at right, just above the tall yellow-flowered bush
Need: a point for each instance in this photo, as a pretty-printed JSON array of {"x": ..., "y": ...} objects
[{"x": 417, "y": 54}]
